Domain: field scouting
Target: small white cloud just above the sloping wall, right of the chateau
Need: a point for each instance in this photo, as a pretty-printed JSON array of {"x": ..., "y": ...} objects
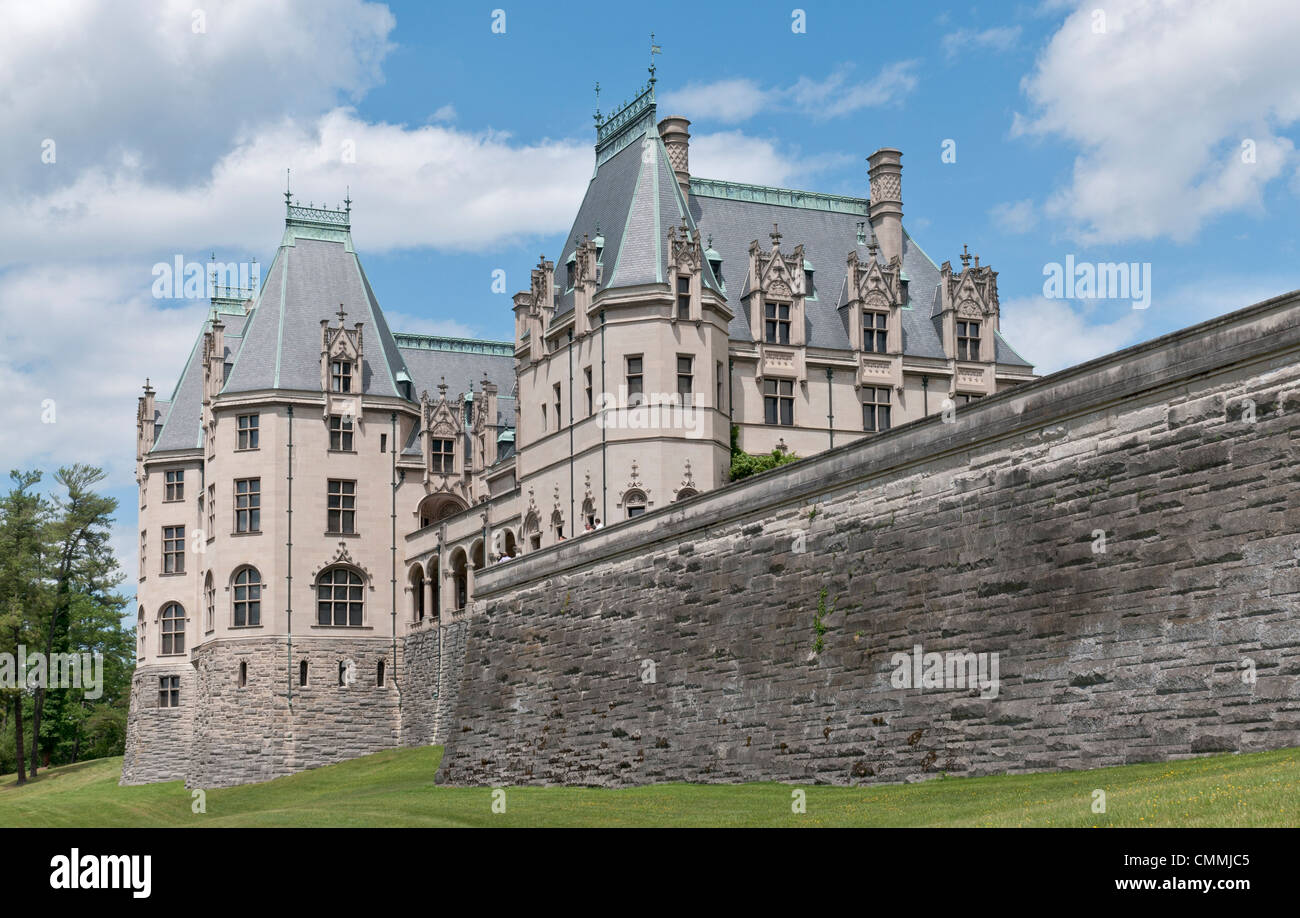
[{"x": 1054, "y": 334}]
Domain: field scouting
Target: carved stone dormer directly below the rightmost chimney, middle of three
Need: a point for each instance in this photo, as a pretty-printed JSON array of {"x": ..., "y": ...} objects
[{"x": 874, "y": 318}]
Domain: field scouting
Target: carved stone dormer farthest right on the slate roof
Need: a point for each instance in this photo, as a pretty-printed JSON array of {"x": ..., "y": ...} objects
[{"x": 970, "y": 311}]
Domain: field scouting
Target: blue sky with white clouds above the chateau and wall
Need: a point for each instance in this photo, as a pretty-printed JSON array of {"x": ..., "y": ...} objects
[{"x": 473, "y": 149}]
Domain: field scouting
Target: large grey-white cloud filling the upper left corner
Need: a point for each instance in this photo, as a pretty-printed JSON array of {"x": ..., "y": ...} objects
[{"x": 132, "y": 81}]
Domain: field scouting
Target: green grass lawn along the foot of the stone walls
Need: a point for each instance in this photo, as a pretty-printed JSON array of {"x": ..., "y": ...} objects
[{"x": 396, "y": 789}]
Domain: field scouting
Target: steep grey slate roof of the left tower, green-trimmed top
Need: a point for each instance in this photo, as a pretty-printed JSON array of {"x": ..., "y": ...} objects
[{"x": 315, "y": 274}]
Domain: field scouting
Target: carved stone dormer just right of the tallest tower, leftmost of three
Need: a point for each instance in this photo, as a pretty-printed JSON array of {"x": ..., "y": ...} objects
[{"x": 777, "y": 288}]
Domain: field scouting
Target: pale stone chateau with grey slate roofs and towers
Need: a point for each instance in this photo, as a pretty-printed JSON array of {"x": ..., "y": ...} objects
[{"x": 318, "y": 492}]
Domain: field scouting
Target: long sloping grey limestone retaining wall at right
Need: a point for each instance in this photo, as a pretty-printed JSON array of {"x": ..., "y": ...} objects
[{"x": 1121, "y": 535}]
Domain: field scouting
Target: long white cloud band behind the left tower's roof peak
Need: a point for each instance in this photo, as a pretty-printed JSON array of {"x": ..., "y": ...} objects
[{"x": 411, "y": 187}]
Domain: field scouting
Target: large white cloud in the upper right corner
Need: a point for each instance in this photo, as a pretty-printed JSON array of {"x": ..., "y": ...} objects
[{"x": 1160, "y": 105}]
